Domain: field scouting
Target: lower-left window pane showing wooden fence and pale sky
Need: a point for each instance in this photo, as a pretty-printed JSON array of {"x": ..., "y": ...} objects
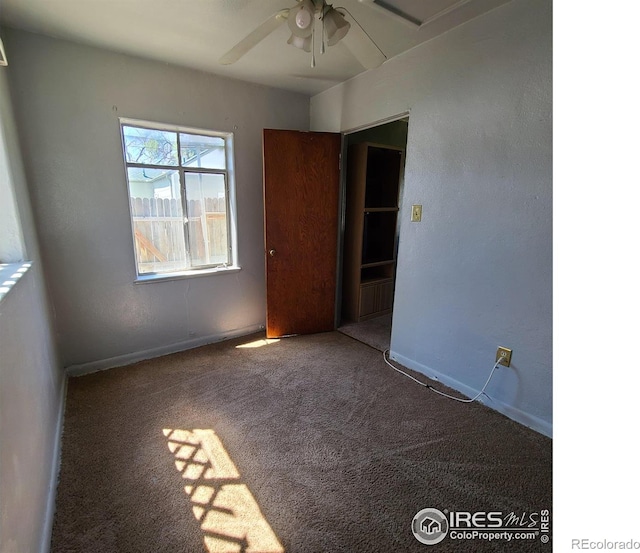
[{"x": 158, "y": 223}]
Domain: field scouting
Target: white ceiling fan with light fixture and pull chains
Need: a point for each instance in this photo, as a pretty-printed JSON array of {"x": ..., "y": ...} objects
[{"x": 301, "y": 20}]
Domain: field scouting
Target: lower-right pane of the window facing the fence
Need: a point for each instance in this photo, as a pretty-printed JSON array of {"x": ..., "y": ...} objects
[{"x": 207, "y": 212}]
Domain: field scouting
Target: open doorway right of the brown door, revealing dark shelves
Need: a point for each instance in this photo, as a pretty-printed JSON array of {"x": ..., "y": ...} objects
[{"x": 372, "y": 192}]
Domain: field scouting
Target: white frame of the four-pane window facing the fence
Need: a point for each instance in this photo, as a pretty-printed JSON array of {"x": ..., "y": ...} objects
[{"x": 230, "y": 195}]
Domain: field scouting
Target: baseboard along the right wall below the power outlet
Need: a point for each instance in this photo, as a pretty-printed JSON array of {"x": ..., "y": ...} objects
[{"x": 535, "y": 423}]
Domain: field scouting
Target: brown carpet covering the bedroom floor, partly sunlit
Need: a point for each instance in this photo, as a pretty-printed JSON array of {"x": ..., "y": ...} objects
[{"x": 307, "y": 444}]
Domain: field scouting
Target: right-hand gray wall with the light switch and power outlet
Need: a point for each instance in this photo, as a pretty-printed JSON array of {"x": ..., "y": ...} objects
[{"x": 477, "y": 271}]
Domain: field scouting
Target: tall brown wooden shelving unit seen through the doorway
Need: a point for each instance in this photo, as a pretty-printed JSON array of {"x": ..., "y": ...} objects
[{"x": 373, "y": 180}]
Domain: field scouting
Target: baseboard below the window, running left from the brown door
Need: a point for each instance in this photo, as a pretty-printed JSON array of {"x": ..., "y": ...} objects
[{"x": 134, "y": 357}]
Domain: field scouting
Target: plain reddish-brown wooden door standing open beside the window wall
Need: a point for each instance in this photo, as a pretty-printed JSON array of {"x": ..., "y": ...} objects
[{"x": 301, "y": 195}]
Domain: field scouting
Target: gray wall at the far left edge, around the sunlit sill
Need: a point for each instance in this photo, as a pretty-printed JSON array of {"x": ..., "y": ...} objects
[{"x": 31, "y": 377}]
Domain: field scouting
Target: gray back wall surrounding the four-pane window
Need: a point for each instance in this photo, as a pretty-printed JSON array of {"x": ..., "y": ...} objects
[{"x": 67, "y": 100}]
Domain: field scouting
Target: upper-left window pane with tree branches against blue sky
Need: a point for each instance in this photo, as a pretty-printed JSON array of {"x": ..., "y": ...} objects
[{"x": 150, "y": 146}]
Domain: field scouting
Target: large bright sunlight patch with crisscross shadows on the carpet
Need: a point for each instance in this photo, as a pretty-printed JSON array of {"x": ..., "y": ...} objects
[{"x": 228, "y": 514}]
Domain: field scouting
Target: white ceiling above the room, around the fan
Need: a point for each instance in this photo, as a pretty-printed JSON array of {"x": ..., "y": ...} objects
[{"x": 196, "y": 33}]
